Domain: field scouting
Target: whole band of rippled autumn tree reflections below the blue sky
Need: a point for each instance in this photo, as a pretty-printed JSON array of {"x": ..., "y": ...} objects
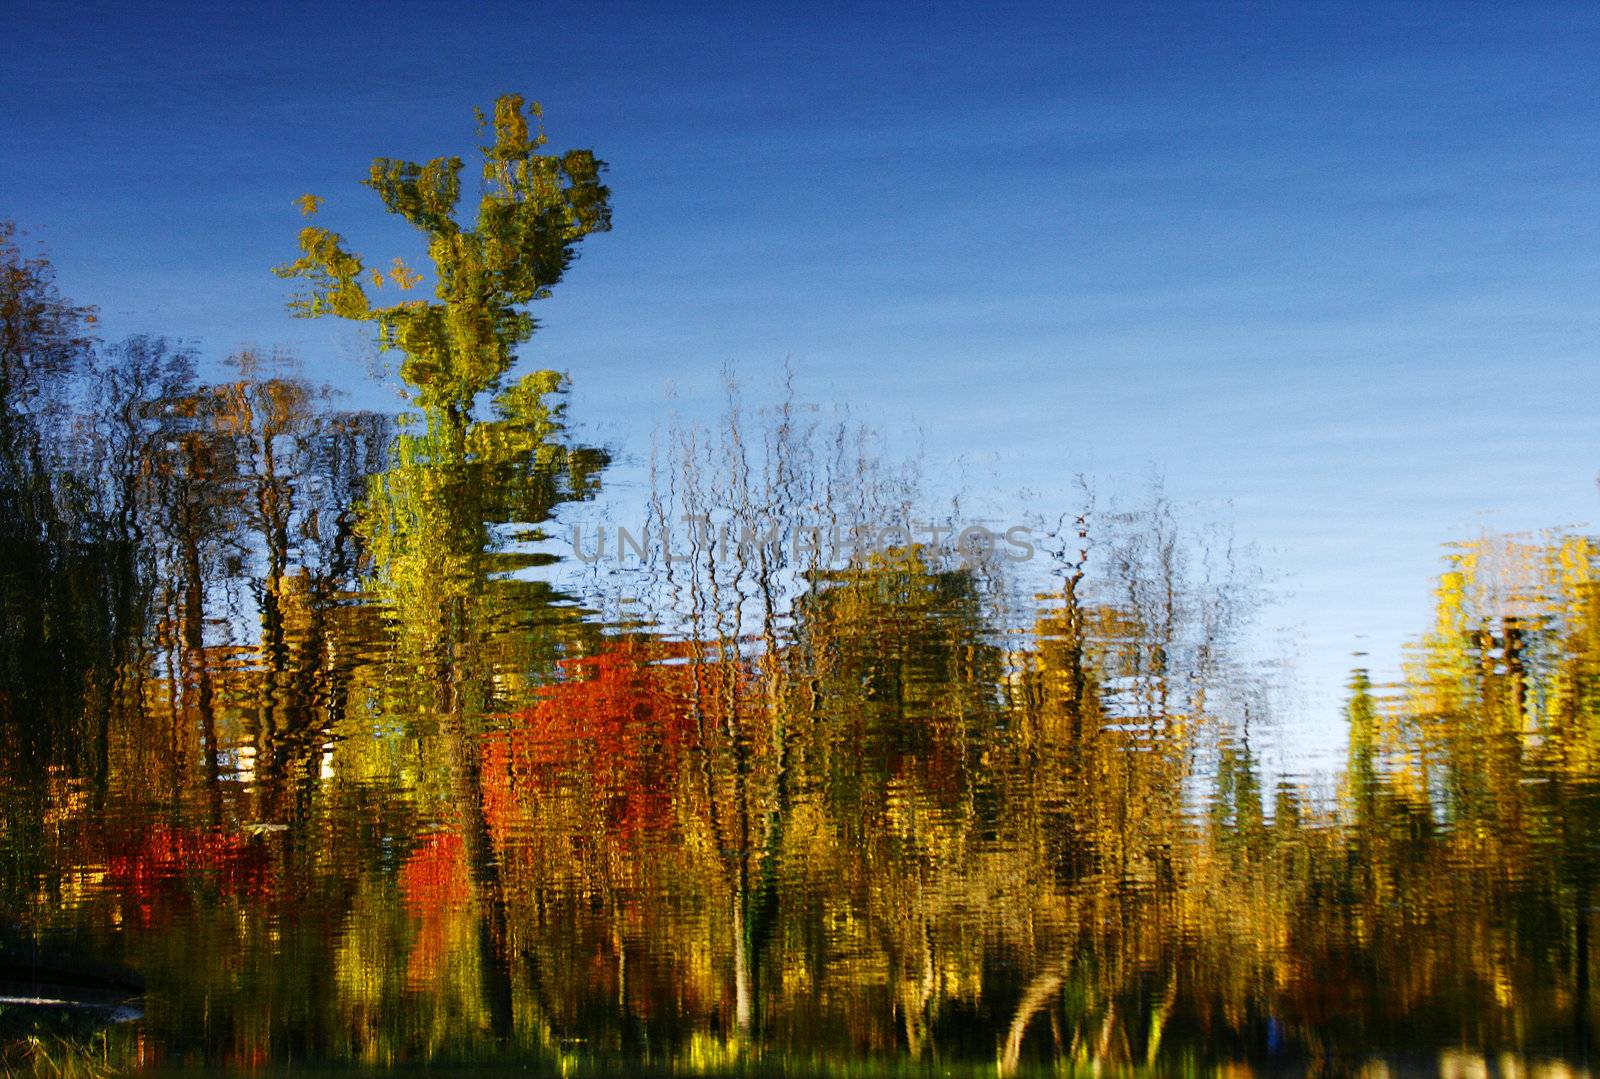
[{"x": 348, "y": 740}]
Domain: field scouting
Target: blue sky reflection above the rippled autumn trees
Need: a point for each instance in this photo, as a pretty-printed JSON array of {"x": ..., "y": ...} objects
[{"x": 1329, "y": 268}]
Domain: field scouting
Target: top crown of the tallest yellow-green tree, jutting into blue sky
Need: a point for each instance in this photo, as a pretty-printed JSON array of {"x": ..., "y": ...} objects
[{"x": 532, "y": 214}]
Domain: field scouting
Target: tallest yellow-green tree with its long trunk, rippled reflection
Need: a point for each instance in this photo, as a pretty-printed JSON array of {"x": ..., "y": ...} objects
[{"x": 436, "y": 519}]
